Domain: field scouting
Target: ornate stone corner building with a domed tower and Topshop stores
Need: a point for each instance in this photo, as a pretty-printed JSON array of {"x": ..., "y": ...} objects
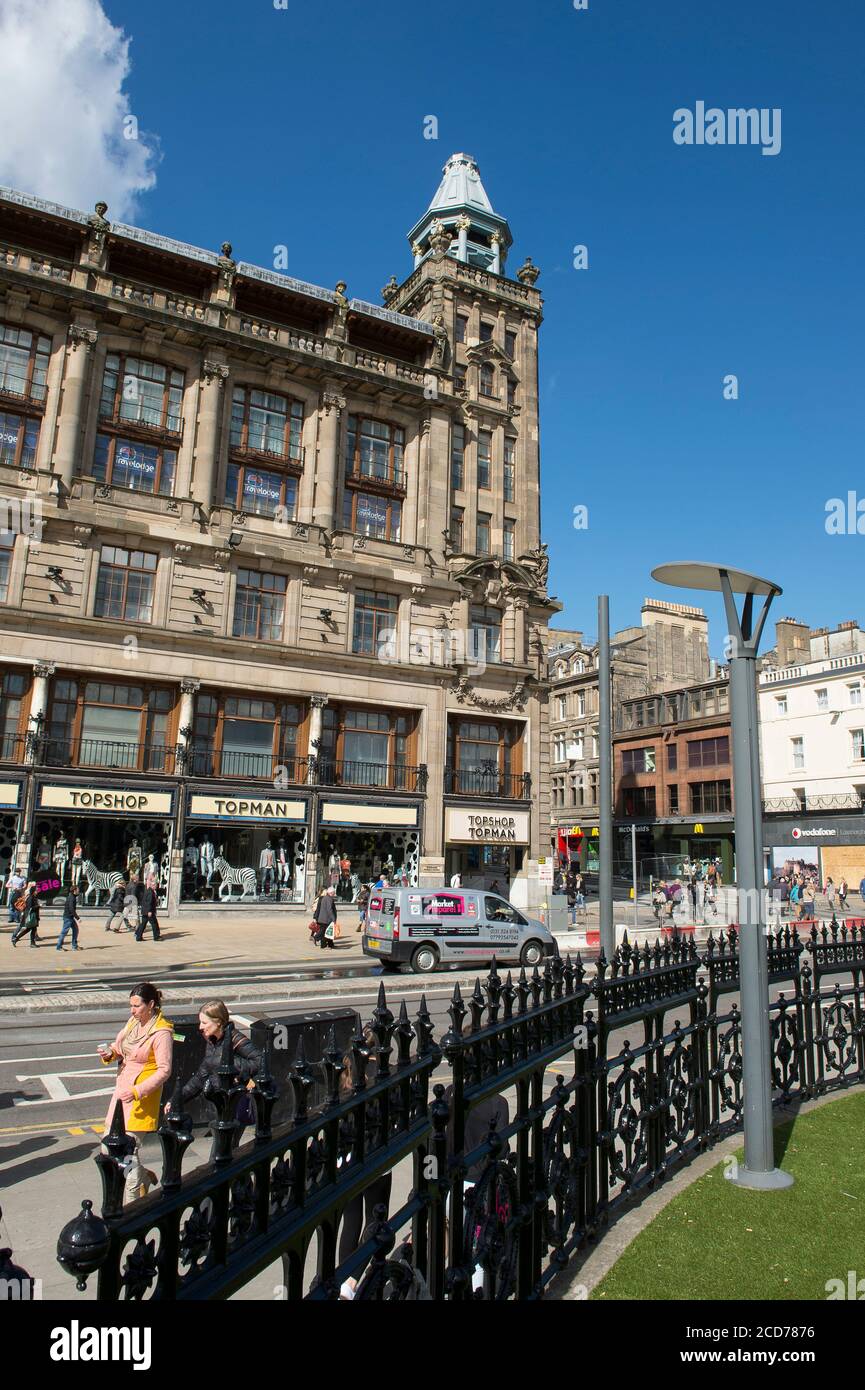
[{"x": 273, "y": 597}]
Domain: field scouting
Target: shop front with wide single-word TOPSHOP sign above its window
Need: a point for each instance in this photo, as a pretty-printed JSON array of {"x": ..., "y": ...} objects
[{"x": 94, "y": 837}]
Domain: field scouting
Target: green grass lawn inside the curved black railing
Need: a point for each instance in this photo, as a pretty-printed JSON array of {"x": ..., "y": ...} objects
[{"x": 717, "y": 1241}]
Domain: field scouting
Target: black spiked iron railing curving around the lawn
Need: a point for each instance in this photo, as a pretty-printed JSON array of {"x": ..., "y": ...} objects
[{"x": 547, "y": 1177}]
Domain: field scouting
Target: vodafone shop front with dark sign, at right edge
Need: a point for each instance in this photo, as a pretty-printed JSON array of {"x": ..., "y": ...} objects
[{"x": 830, "y": 846}]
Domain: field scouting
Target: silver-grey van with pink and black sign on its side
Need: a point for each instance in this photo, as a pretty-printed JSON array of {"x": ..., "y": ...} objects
[{"x": 426, "y": 926}]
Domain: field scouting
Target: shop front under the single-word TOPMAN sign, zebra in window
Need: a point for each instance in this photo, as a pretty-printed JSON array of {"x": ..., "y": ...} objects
[{"x": 244, "y": 847}]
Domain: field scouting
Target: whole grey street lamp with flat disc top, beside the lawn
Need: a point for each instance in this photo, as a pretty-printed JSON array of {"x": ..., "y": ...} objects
[{"x": 745, "y": 635}]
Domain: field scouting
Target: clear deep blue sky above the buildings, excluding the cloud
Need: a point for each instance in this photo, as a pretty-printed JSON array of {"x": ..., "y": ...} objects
[{"x": 305, "y": 127}]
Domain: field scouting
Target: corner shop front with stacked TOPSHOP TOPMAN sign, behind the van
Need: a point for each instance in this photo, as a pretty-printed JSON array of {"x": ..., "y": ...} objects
[{"x": 486, "y": 846}]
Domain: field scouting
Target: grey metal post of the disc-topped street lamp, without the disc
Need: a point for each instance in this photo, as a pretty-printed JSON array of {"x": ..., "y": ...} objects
[{"x": 760, "y": 1170}]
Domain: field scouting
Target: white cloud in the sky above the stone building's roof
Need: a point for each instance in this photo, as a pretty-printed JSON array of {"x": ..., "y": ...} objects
[{"x": 63, "y": 108}]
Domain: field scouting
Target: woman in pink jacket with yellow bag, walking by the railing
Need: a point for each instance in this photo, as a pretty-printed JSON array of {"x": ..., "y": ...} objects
[{"x": 144, "y": 1050}]
